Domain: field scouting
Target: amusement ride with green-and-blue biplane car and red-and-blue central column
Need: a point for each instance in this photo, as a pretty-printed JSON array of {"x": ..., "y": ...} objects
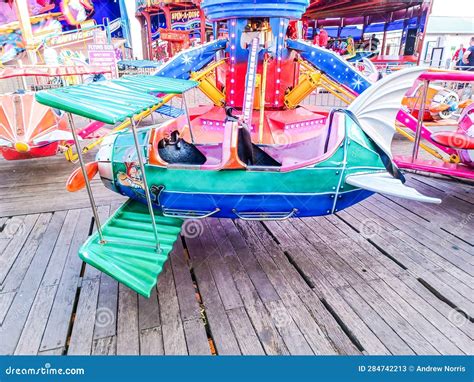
[{"x": 256, "y": 154}]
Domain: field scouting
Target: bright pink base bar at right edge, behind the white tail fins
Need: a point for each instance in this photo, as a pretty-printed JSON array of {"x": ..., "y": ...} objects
[{"x": 435, "y": 166}]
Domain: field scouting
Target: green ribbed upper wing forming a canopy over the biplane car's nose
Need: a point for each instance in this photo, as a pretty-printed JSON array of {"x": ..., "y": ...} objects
[{"x": 114, "y": 100}]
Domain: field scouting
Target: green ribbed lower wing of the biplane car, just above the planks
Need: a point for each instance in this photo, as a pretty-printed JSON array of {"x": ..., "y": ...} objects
[{"x": 129, "y": 254}]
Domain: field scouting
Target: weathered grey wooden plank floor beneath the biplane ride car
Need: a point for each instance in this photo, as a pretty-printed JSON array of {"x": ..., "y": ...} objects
[{"x": 383, "y": 277}]
